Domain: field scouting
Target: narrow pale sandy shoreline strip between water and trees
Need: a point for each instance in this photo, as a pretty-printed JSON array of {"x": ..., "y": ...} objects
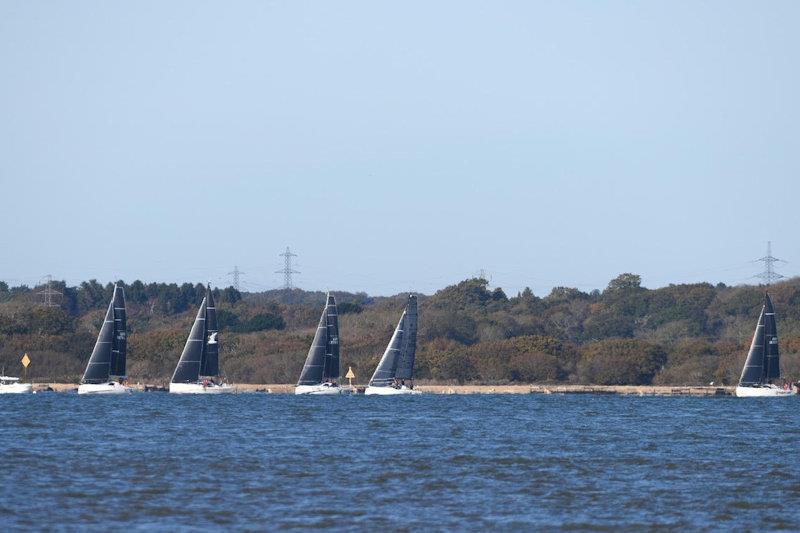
[{"x": 625, "y": 390}]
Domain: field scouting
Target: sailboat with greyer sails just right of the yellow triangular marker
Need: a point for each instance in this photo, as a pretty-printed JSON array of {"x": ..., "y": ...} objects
[{"x": 397, "y": 364}]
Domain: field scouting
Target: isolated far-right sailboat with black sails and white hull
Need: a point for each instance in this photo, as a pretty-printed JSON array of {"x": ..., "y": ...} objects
[{"x": 762, "y": 366}]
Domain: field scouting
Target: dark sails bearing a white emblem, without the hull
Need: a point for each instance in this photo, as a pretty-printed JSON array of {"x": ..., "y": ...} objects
[{"x": 200, "y": 356}]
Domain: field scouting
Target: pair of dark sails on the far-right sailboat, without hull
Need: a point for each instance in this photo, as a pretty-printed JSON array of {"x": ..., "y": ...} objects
[{"x": 763, "y": 360}]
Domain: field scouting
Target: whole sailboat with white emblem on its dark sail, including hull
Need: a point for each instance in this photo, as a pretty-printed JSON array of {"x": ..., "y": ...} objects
[{"x": 198, "y": 368}]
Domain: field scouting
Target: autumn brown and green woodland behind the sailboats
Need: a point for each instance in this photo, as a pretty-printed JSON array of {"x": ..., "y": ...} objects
[{"x": 469, "y": 332}]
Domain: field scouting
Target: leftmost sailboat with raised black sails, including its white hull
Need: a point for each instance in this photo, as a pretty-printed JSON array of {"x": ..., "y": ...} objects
[{"x": 105, "y": 373}]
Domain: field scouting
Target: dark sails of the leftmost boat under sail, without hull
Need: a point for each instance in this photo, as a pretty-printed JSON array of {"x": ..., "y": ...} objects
[{"x": 110, "y": 351}]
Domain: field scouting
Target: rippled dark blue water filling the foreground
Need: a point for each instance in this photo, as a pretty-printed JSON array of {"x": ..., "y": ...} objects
[{"x": 257, "y": 461}]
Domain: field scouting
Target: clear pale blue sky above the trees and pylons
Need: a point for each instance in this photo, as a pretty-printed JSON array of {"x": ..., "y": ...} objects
[{"x": 399, "y": 145}]
